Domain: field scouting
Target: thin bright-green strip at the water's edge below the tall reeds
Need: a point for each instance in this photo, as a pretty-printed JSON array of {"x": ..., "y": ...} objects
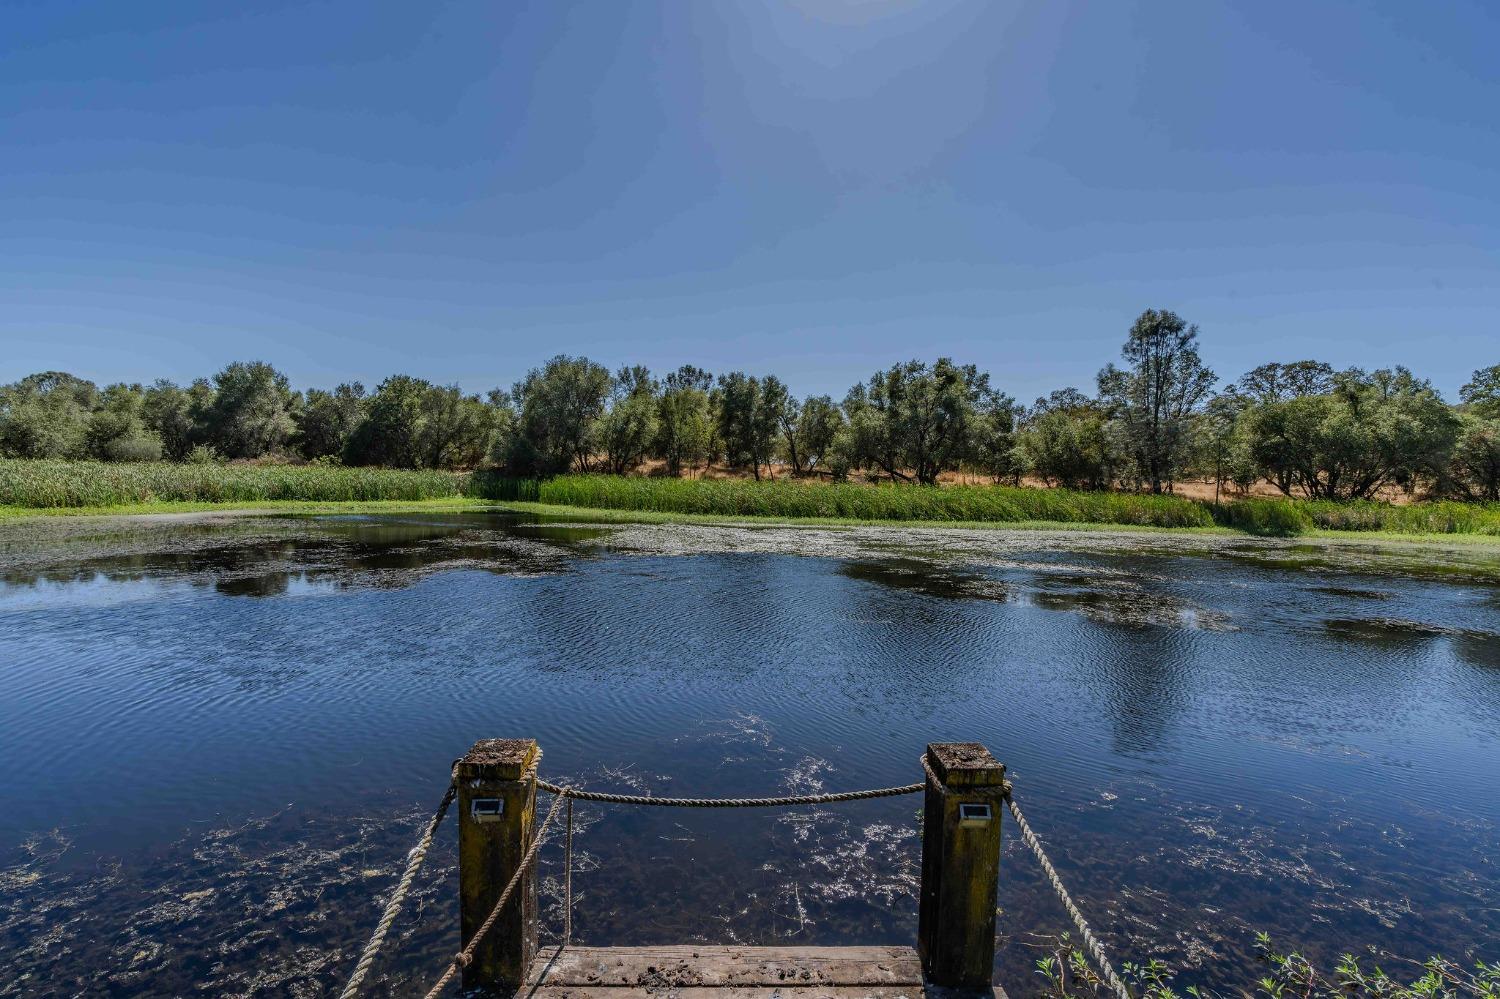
[{"x": 610, "y": 515}]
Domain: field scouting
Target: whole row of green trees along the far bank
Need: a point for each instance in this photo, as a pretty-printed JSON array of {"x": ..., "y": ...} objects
[{"x": 1154, "y": 421}]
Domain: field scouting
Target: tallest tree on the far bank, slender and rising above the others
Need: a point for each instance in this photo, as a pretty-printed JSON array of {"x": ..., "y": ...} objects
[{"x": 1157, "y": 395}]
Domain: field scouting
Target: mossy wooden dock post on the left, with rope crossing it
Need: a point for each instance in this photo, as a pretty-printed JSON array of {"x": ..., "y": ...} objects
[{"x": 497, "y": 820}]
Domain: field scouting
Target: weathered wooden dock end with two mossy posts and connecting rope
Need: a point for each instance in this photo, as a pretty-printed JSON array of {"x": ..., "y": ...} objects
[{"x": 497, "y": 785}]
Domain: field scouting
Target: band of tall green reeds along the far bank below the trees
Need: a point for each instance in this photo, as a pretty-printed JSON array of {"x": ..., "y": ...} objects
[{"x": 125, "y": 488}]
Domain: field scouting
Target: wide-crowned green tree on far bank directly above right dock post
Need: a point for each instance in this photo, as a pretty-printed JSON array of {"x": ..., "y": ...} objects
[{"x": 916, "y": 422}]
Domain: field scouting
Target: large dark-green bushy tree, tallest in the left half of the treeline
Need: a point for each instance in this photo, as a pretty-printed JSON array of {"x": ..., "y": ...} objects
[{"x": 560, "y": 406}]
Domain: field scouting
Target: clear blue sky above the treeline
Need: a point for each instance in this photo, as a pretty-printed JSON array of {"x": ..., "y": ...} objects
[{"x": 460, "y": 191}]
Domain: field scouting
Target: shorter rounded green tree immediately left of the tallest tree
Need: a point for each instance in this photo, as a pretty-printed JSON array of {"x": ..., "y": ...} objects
[{"x": 1064, "y": 442}]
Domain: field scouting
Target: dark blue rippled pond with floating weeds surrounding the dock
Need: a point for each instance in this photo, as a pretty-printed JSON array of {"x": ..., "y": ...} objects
[{"x": 220, "y": 736}]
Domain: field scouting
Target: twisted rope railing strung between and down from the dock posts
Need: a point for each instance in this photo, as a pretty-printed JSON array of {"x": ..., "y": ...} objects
[{"x": 566, "y": 796}]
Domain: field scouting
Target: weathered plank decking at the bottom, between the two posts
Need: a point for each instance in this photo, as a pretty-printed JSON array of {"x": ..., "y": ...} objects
[{"x": 733, "y": 973}]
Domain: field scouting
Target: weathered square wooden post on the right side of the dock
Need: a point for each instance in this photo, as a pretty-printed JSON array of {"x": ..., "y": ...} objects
[{"x": 961, "y": 865}]
